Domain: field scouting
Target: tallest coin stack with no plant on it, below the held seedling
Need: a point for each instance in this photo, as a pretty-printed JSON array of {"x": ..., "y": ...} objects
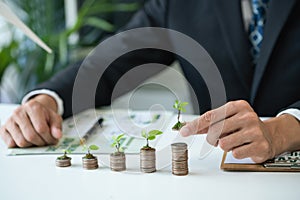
[{"x": 179, "y": 159}]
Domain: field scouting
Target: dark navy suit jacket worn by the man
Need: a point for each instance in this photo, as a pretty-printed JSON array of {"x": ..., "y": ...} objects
[{"x": 270, "y": 86}]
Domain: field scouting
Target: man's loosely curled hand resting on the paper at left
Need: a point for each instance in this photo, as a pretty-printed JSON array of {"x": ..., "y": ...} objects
[{"x": 35, "y": 123}]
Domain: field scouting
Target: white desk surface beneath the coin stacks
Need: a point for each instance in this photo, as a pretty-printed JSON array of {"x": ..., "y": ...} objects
[{"x": 36, "y": 177}]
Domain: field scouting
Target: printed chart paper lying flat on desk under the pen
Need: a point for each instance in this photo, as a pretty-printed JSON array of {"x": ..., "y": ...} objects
[{"x": 74, "y": 128}]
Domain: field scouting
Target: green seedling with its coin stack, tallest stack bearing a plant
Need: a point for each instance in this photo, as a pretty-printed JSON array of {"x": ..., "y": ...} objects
[{"x": 147, "y": 153}]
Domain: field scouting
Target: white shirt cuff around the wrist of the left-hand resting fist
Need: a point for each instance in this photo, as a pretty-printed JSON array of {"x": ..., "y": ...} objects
[{"x": 59, "y": 102}]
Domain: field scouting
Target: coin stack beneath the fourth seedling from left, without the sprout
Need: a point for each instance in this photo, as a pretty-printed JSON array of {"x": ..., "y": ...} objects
[{"x": 147, "y": 160}]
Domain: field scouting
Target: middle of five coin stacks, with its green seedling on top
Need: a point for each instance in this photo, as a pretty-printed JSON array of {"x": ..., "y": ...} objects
[{"x": 117, "y": 159}]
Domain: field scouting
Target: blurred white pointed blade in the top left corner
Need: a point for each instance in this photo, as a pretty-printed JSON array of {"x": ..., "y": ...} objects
[{"x": 6, "y": 13}]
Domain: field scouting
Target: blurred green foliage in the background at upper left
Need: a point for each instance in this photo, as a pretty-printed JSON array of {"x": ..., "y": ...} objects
[{"x": 23, "y": 64}]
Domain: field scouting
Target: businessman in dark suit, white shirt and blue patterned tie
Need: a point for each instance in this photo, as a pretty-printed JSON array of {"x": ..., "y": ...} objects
[{"x": 255, "y": 45}]
